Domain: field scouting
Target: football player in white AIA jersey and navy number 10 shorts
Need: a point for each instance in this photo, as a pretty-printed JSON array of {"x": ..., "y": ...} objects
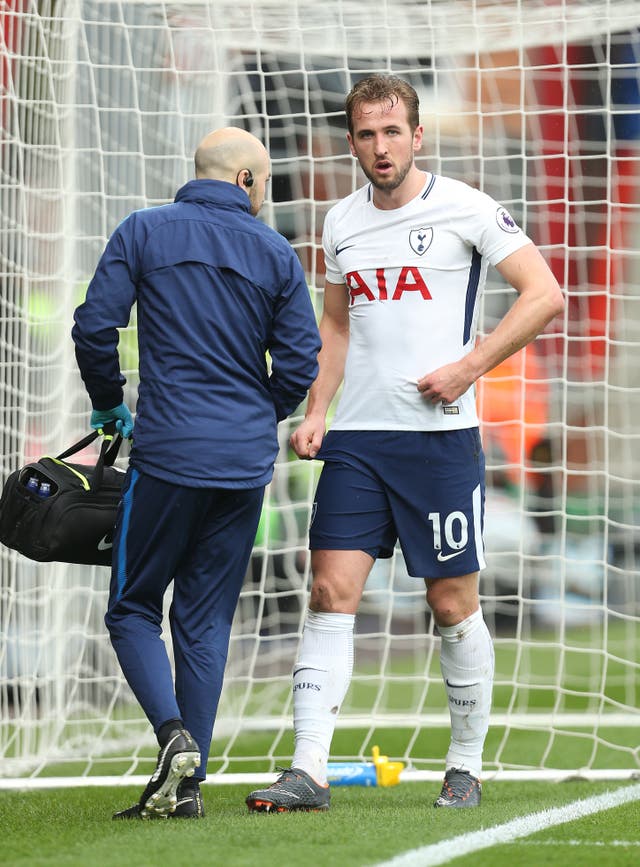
[{"x": 406, "y": 259}]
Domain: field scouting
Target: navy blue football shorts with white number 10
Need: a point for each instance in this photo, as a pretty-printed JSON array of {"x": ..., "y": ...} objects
[{"x": 424, "y": 489}]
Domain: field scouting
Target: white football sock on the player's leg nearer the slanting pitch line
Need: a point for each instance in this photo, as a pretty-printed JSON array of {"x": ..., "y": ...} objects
[{"x": 467, "y": 665}]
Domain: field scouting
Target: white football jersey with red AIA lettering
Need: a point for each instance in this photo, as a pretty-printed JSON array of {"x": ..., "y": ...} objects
[{"x": 414, "y": 275}]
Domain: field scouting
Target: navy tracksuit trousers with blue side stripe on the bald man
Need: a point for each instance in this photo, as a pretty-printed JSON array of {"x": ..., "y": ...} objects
[{"x": 201, "y": 539}]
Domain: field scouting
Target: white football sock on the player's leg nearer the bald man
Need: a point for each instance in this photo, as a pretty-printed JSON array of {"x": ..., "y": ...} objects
[{"x": 321, "y": 677}]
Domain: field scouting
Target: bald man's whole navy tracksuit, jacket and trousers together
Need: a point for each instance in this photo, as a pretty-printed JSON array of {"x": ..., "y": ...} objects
[{"x": 216, "y": 290}]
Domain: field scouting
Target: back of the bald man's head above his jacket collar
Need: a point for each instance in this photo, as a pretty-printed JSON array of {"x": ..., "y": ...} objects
[{"x": 224, "y": 153}]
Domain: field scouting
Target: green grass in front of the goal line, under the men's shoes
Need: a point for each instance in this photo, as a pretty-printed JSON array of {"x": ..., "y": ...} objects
[{"x": 73, "y": 828}]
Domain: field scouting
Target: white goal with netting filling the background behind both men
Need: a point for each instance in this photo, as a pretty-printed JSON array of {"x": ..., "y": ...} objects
[{"x": 537, "y": 103}]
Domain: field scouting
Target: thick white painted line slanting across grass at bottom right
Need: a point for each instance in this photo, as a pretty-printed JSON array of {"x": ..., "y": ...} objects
[{"x": 456, "y": 847}]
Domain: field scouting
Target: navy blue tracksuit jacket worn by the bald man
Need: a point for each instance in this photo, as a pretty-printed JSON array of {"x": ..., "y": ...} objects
[{"x": 215, "y": 290}]
